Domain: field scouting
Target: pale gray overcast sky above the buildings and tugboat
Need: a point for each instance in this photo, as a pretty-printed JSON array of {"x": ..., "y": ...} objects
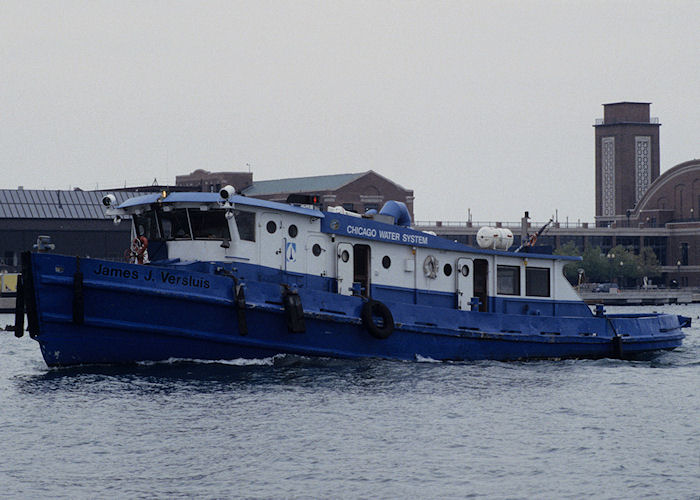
[{"x": 475, "y": 104}]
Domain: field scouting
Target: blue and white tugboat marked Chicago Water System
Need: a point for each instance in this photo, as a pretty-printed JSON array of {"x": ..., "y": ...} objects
[{"x": 219, "y": 276}]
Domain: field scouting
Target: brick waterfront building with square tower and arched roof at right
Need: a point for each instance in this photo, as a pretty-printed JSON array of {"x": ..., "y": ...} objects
[{"x": 636, "y": 206}]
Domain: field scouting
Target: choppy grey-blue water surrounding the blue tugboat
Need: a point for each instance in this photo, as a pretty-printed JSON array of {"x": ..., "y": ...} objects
[{"x": 345, "y": 429}]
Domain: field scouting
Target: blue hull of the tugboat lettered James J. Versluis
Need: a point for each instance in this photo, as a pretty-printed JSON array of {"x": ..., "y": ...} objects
[{"x": 92, "y": 311}]
